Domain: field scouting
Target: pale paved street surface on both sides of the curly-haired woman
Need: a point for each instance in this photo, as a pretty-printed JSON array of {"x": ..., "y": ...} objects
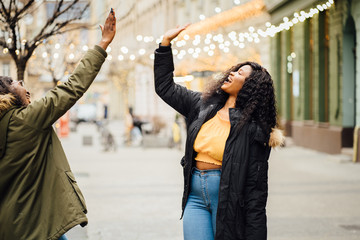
[{"x": 135, "y": 193}]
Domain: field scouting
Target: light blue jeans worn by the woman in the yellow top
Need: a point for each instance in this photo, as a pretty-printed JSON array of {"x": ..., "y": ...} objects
[{"x": 199, "y": 220}]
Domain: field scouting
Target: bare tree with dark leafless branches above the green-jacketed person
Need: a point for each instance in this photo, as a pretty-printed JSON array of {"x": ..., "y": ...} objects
[{"x": 11, "y": 14}]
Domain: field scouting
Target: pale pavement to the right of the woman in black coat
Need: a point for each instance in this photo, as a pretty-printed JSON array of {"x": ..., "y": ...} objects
[{"x": 313, "y": 196}]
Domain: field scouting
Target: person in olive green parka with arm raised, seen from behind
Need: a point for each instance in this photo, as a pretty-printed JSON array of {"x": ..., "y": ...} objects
[{"x": 39, "y": 197}]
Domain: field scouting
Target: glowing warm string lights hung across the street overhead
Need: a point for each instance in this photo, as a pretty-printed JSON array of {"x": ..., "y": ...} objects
[{"x": 200, "y": 33}]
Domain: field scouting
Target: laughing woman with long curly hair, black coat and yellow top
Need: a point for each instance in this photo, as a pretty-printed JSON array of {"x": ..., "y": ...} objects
[{"x": 230, "y": 132}]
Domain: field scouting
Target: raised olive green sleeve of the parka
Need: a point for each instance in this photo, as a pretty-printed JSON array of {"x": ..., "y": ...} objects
[{"x": 43, "y": 113}]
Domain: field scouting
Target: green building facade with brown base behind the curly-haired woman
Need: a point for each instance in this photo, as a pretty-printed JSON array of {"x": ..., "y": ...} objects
[{"x": 315, "y": 67}]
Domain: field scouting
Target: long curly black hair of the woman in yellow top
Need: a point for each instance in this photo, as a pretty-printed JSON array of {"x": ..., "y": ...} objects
[{"x": 256, "y": 98}]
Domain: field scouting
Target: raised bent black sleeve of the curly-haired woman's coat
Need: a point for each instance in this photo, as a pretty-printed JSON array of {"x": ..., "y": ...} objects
[{"x": 178, "y": 97}]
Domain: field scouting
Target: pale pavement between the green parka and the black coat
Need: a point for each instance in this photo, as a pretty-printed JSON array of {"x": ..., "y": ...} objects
[{"x": 133, "y": 193}]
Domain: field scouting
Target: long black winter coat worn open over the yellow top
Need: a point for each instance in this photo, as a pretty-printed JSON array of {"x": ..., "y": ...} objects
[{"x": 243, "y": 188}]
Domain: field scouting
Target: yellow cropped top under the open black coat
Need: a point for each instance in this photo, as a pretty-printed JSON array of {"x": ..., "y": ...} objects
[{"x": 211, "y": 139}]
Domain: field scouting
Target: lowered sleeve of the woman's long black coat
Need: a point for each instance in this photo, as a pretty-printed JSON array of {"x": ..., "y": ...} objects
[{"x": 256, "y": 188}]
